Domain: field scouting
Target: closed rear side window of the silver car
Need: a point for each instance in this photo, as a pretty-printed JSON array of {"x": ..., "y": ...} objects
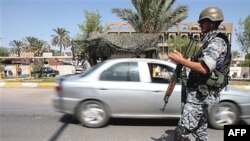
[{"x": 125, "y": 71}]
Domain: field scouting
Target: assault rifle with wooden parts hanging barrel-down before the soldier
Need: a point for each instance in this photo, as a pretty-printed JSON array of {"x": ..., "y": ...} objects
[{"x": 177, "y": 74}]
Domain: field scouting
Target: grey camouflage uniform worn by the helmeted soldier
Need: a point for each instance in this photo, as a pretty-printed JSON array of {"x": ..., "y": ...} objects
[{"x": 195, "y": 111}]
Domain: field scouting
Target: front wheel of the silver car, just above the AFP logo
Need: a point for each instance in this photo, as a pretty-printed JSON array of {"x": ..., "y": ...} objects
[{"x": 224, "y": 113}]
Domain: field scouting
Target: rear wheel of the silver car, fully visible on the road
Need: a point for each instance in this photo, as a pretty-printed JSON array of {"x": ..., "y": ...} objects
[{"x": 92, "y": 114}]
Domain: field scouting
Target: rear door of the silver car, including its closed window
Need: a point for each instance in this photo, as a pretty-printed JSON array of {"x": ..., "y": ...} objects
[{"x": 121, "y": 88}]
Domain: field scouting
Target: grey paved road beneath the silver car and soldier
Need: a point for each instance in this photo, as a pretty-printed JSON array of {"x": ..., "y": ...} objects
[{"x": 26, "y": 114}]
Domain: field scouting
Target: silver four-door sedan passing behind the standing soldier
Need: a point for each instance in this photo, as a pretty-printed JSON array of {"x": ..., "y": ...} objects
[{"x": 135, "y": 88}]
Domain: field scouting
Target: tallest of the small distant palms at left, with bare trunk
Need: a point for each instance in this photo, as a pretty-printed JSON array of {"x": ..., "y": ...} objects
[{"x": 61, "y": 39}]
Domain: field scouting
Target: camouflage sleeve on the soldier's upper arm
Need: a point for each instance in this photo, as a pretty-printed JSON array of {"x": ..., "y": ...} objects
[{"x": 214, "y": 53}]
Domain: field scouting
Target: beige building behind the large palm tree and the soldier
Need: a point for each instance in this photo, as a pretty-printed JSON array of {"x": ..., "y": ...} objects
[{"x": 185, "y": 30}]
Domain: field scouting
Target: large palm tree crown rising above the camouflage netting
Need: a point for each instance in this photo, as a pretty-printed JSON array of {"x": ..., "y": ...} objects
[{"x": 152, "y": 16}]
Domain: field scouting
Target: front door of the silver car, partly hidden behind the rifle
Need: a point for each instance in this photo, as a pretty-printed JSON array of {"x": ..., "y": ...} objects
[{"x": 160, "y": 78}]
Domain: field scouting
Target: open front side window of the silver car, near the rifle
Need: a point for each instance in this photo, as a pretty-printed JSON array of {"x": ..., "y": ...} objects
[{"x": 160, "y": 73}]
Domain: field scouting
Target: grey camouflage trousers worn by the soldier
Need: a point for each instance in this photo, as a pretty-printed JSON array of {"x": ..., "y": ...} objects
[{"x": 194, "y": 118}]
